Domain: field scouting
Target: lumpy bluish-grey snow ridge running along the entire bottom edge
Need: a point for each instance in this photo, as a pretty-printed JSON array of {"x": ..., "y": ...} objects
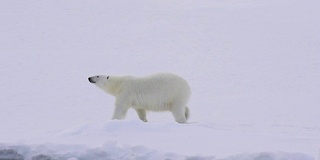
[{"x": 112, "y": 151}]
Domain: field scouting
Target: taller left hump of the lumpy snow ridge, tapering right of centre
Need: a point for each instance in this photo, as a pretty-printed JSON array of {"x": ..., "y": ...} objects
[{"x": 72, "y": 152}]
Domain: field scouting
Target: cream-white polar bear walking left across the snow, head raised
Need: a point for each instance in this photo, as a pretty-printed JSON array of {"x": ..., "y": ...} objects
[{"x": 159, "y": 92}]
